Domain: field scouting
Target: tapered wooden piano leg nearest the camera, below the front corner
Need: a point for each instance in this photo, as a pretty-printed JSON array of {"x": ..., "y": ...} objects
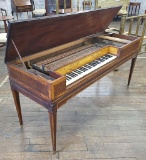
[{"x": 53, "y": 123}]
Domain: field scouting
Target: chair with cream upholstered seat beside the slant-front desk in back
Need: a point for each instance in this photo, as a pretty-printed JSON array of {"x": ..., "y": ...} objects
[{"x": 37, "y": 12}]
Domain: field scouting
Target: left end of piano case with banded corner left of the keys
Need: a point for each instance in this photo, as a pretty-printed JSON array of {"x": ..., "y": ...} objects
[{"x": 38, "y": 86}]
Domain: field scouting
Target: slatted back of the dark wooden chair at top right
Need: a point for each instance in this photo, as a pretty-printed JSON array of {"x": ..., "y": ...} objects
[{"x": 134, "y": 8}]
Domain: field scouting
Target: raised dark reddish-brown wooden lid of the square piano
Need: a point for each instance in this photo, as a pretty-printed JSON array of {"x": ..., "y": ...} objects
[{"x": 35, "y": 35}]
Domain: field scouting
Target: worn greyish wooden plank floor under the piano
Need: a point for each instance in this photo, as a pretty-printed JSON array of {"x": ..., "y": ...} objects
[{"x": 107, "y": 121}]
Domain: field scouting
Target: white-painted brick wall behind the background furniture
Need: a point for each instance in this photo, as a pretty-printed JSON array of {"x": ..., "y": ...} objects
[{"x": 6, "y": 4}]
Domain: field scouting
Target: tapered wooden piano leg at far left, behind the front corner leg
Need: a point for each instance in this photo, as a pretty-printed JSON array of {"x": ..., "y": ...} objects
[{"x": 17, "y": 104}]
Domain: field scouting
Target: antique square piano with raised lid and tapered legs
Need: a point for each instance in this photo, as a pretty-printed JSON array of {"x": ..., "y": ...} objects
[{"x": 51, "y": 59}]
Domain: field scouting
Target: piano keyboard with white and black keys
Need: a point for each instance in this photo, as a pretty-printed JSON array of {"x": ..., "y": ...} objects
[{"x": 88, "y": 68}]
